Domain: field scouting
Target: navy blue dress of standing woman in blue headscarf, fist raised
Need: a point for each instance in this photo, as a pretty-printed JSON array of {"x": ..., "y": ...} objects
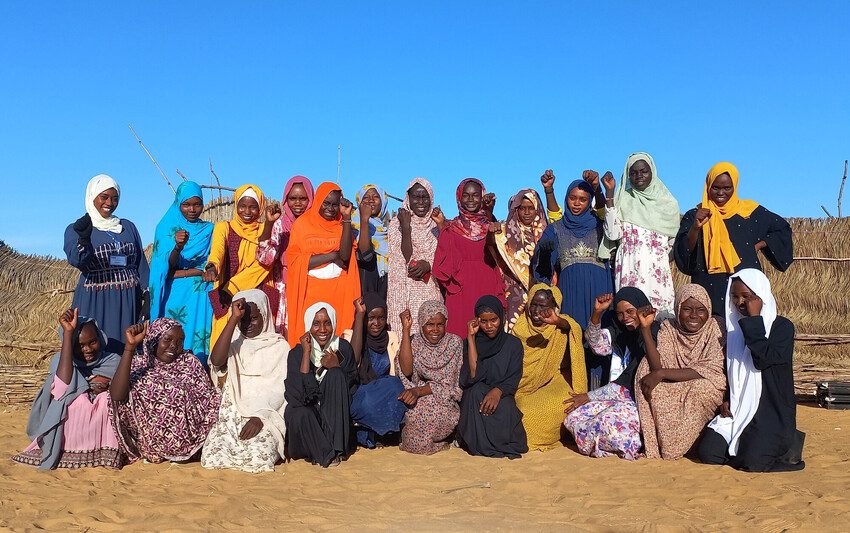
[{"x": 582, "y": 276}]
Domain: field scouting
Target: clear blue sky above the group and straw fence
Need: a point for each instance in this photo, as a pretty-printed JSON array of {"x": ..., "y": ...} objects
[{"x": 444, "y": 90}]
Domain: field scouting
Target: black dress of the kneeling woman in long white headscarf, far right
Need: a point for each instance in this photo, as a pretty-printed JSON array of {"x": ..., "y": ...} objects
[{"x": 770, "y": 442}]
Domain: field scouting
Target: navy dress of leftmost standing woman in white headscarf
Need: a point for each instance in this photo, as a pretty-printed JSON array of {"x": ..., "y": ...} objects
[{"x": 106, "y": 291}]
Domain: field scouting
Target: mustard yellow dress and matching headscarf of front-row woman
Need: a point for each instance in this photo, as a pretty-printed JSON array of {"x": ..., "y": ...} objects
[{"x": 543, "y": 387}]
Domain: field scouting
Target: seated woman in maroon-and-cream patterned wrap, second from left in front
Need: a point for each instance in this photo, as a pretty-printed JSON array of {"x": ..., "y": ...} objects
[{"x": 163, "y": 402}]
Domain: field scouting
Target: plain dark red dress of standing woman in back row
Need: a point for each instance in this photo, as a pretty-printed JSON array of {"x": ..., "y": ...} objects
[{"x": 467, "y": 272}]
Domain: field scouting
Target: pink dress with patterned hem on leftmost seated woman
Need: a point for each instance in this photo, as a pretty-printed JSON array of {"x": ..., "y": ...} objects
[{"x": 88, "y": 436}]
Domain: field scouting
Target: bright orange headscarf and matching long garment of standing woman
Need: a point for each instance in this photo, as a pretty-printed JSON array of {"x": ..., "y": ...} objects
[{"x": 313, "y": 235}]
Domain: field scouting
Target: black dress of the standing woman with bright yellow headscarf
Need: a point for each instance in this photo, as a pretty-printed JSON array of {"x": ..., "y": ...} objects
[{"x": 744, "y": 233}]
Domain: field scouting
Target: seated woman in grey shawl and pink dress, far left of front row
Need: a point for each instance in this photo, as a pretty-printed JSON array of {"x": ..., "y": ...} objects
[{"x": 69, "y": 422}]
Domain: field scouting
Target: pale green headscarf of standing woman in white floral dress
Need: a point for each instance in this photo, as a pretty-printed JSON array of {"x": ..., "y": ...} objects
[{"x": 653, "y": 208}]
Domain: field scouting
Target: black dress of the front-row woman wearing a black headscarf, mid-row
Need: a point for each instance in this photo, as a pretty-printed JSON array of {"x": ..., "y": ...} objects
[{"x": 502, "y": 433}]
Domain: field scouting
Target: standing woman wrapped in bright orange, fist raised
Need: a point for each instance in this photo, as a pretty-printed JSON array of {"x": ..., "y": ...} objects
[{"x": 321, "y": 268}]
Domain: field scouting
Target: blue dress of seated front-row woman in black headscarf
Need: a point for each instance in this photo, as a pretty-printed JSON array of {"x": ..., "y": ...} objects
[{"x": 375, "y": 407}]
